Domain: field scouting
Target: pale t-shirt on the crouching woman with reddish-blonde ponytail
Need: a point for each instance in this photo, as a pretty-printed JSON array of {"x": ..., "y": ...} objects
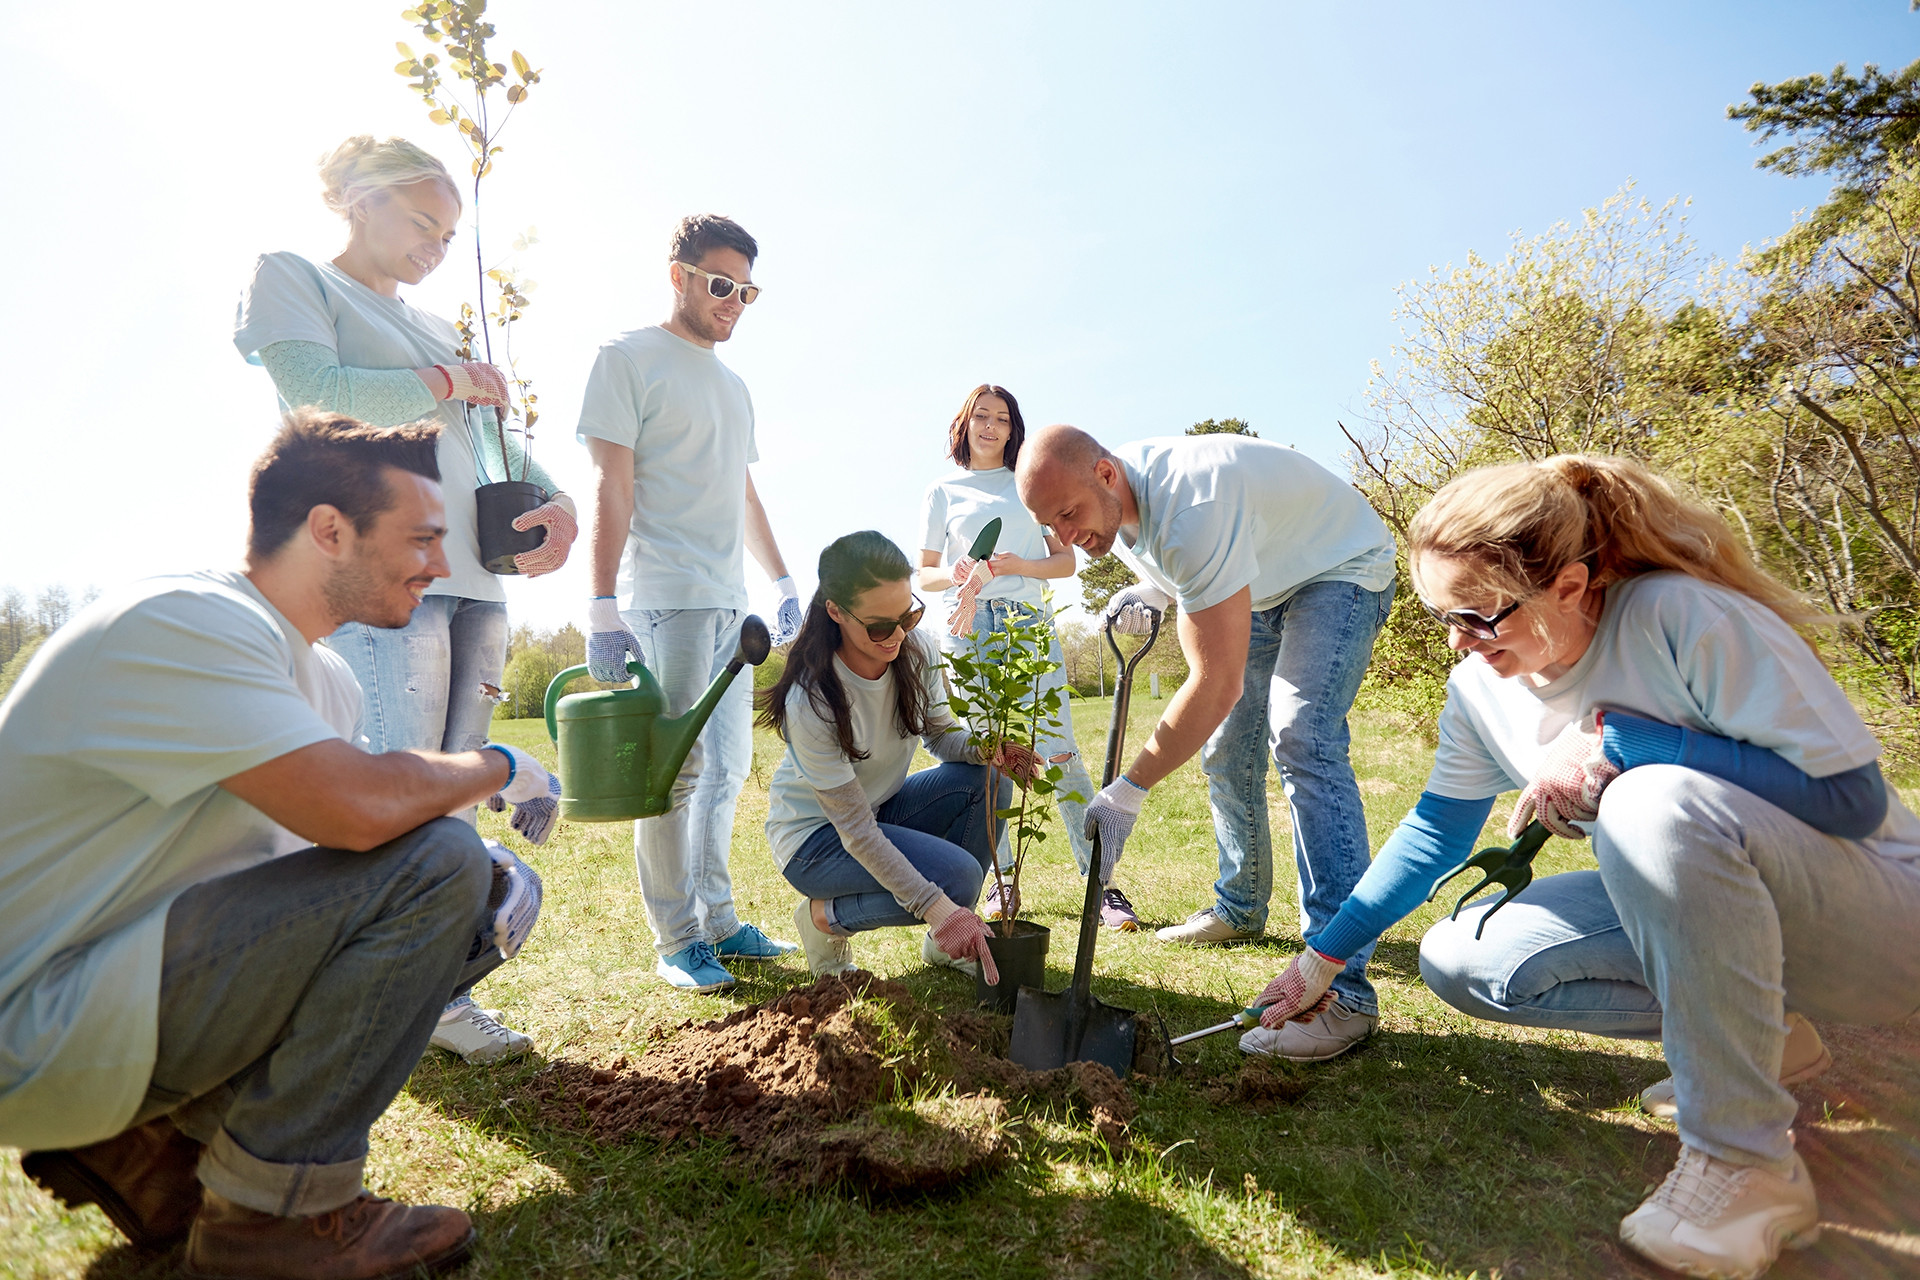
[{"x": 1675, "y": 650}]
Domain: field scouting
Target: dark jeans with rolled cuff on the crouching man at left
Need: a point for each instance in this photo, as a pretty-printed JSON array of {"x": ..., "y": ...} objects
[{"x": 295, "y": 1001}]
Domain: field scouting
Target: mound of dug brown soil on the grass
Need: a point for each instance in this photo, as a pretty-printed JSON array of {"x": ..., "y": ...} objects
[{"x": 848, "y": 1079}]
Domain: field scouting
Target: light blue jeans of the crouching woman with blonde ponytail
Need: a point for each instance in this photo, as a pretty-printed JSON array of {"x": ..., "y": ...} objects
[{"x": 1712, "y": 916}]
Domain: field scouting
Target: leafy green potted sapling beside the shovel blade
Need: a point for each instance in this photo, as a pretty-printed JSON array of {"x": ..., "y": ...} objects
[{"x": 999, "y": 692}]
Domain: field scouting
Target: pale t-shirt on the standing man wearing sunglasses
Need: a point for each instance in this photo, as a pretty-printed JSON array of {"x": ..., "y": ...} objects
[{"x": 688, "y": 421}]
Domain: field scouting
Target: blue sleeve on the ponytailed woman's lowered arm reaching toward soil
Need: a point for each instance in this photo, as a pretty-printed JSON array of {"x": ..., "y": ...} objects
[{"x": 1428, "y": 843}]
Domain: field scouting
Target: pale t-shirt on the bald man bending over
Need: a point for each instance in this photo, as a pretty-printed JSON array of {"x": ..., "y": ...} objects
[{"x": 1220, "y": 513}]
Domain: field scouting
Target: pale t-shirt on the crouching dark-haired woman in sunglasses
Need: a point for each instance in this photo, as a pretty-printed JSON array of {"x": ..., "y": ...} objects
[{"x": 815, "y": 761}]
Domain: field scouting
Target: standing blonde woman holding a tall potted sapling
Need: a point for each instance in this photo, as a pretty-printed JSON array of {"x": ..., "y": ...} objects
[{"x": 337, "y": 335}]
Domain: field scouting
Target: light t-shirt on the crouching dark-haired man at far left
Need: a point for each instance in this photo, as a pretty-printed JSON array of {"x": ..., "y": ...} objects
[{"x": 112, "y": 751}]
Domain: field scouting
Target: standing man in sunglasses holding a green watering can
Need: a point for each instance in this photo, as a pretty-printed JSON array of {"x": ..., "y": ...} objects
[{"x": 671, "y": 435}]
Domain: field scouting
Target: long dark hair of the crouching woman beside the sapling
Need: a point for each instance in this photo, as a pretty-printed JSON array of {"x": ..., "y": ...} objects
[{"x": 848, "y": 567}]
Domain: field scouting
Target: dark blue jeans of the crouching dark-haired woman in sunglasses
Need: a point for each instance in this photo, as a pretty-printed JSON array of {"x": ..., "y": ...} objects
[{"x": 938, "y": 818}]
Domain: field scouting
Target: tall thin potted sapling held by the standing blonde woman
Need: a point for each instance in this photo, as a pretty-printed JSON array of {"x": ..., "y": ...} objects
[{"x": 462, "y": 34}]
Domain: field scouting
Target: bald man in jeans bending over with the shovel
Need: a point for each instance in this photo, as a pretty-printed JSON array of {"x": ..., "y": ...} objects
[{"x": 1284, "y": 577}]
